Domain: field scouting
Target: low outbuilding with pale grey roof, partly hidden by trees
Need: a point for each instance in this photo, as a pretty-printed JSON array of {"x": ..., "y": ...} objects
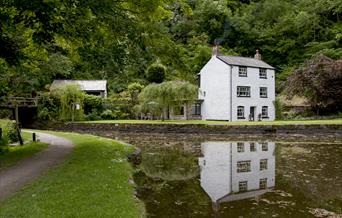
[{"x": 91, "y": 87}]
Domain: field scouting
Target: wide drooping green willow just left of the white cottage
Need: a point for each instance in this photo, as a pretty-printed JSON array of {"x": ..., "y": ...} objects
[{"x": 164, "y": 96}]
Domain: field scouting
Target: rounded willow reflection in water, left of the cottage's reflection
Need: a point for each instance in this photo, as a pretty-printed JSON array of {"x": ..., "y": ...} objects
[{"x": 169, "y": 164}]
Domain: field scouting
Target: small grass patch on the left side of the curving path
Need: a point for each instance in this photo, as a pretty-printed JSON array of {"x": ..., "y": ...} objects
[{"x": 17, "y": 153}]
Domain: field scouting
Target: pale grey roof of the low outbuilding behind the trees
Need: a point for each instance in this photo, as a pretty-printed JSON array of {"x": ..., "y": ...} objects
[{"x": 86, "y": 85}]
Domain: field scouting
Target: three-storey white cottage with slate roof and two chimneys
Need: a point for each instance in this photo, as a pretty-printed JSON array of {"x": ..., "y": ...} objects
[{"x": 237, "y": 89}]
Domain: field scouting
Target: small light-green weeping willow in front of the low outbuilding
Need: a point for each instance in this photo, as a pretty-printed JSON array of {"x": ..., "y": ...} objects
[{"x": 69, "y": 96}]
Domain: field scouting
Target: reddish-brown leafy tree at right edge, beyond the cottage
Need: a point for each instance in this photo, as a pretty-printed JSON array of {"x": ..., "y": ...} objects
[{"x": 319, "y": 80}]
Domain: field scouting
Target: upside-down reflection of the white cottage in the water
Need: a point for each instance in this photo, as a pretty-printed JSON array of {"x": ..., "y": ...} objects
[{"x": 233, "y": 171}]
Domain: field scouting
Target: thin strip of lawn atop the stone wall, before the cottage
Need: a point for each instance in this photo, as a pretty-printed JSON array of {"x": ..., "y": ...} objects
[{"x": 205, "y": 122}]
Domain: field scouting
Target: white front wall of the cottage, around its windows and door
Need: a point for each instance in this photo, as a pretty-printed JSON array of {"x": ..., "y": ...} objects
[{"x": 255, "y": 83}]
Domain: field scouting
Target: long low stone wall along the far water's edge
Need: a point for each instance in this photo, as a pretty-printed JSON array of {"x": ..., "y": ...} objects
[{"x": 199, "y": 129}]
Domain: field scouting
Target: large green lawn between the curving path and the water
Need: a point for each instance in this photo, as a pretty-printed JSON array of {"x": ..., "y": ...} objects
[{"x": 92, "y": 182}]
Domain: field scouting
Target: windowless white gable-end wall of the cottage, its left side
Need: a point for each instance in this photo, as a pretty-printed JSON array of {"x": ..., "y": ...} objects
[{"x": 215, "y": 90}]
